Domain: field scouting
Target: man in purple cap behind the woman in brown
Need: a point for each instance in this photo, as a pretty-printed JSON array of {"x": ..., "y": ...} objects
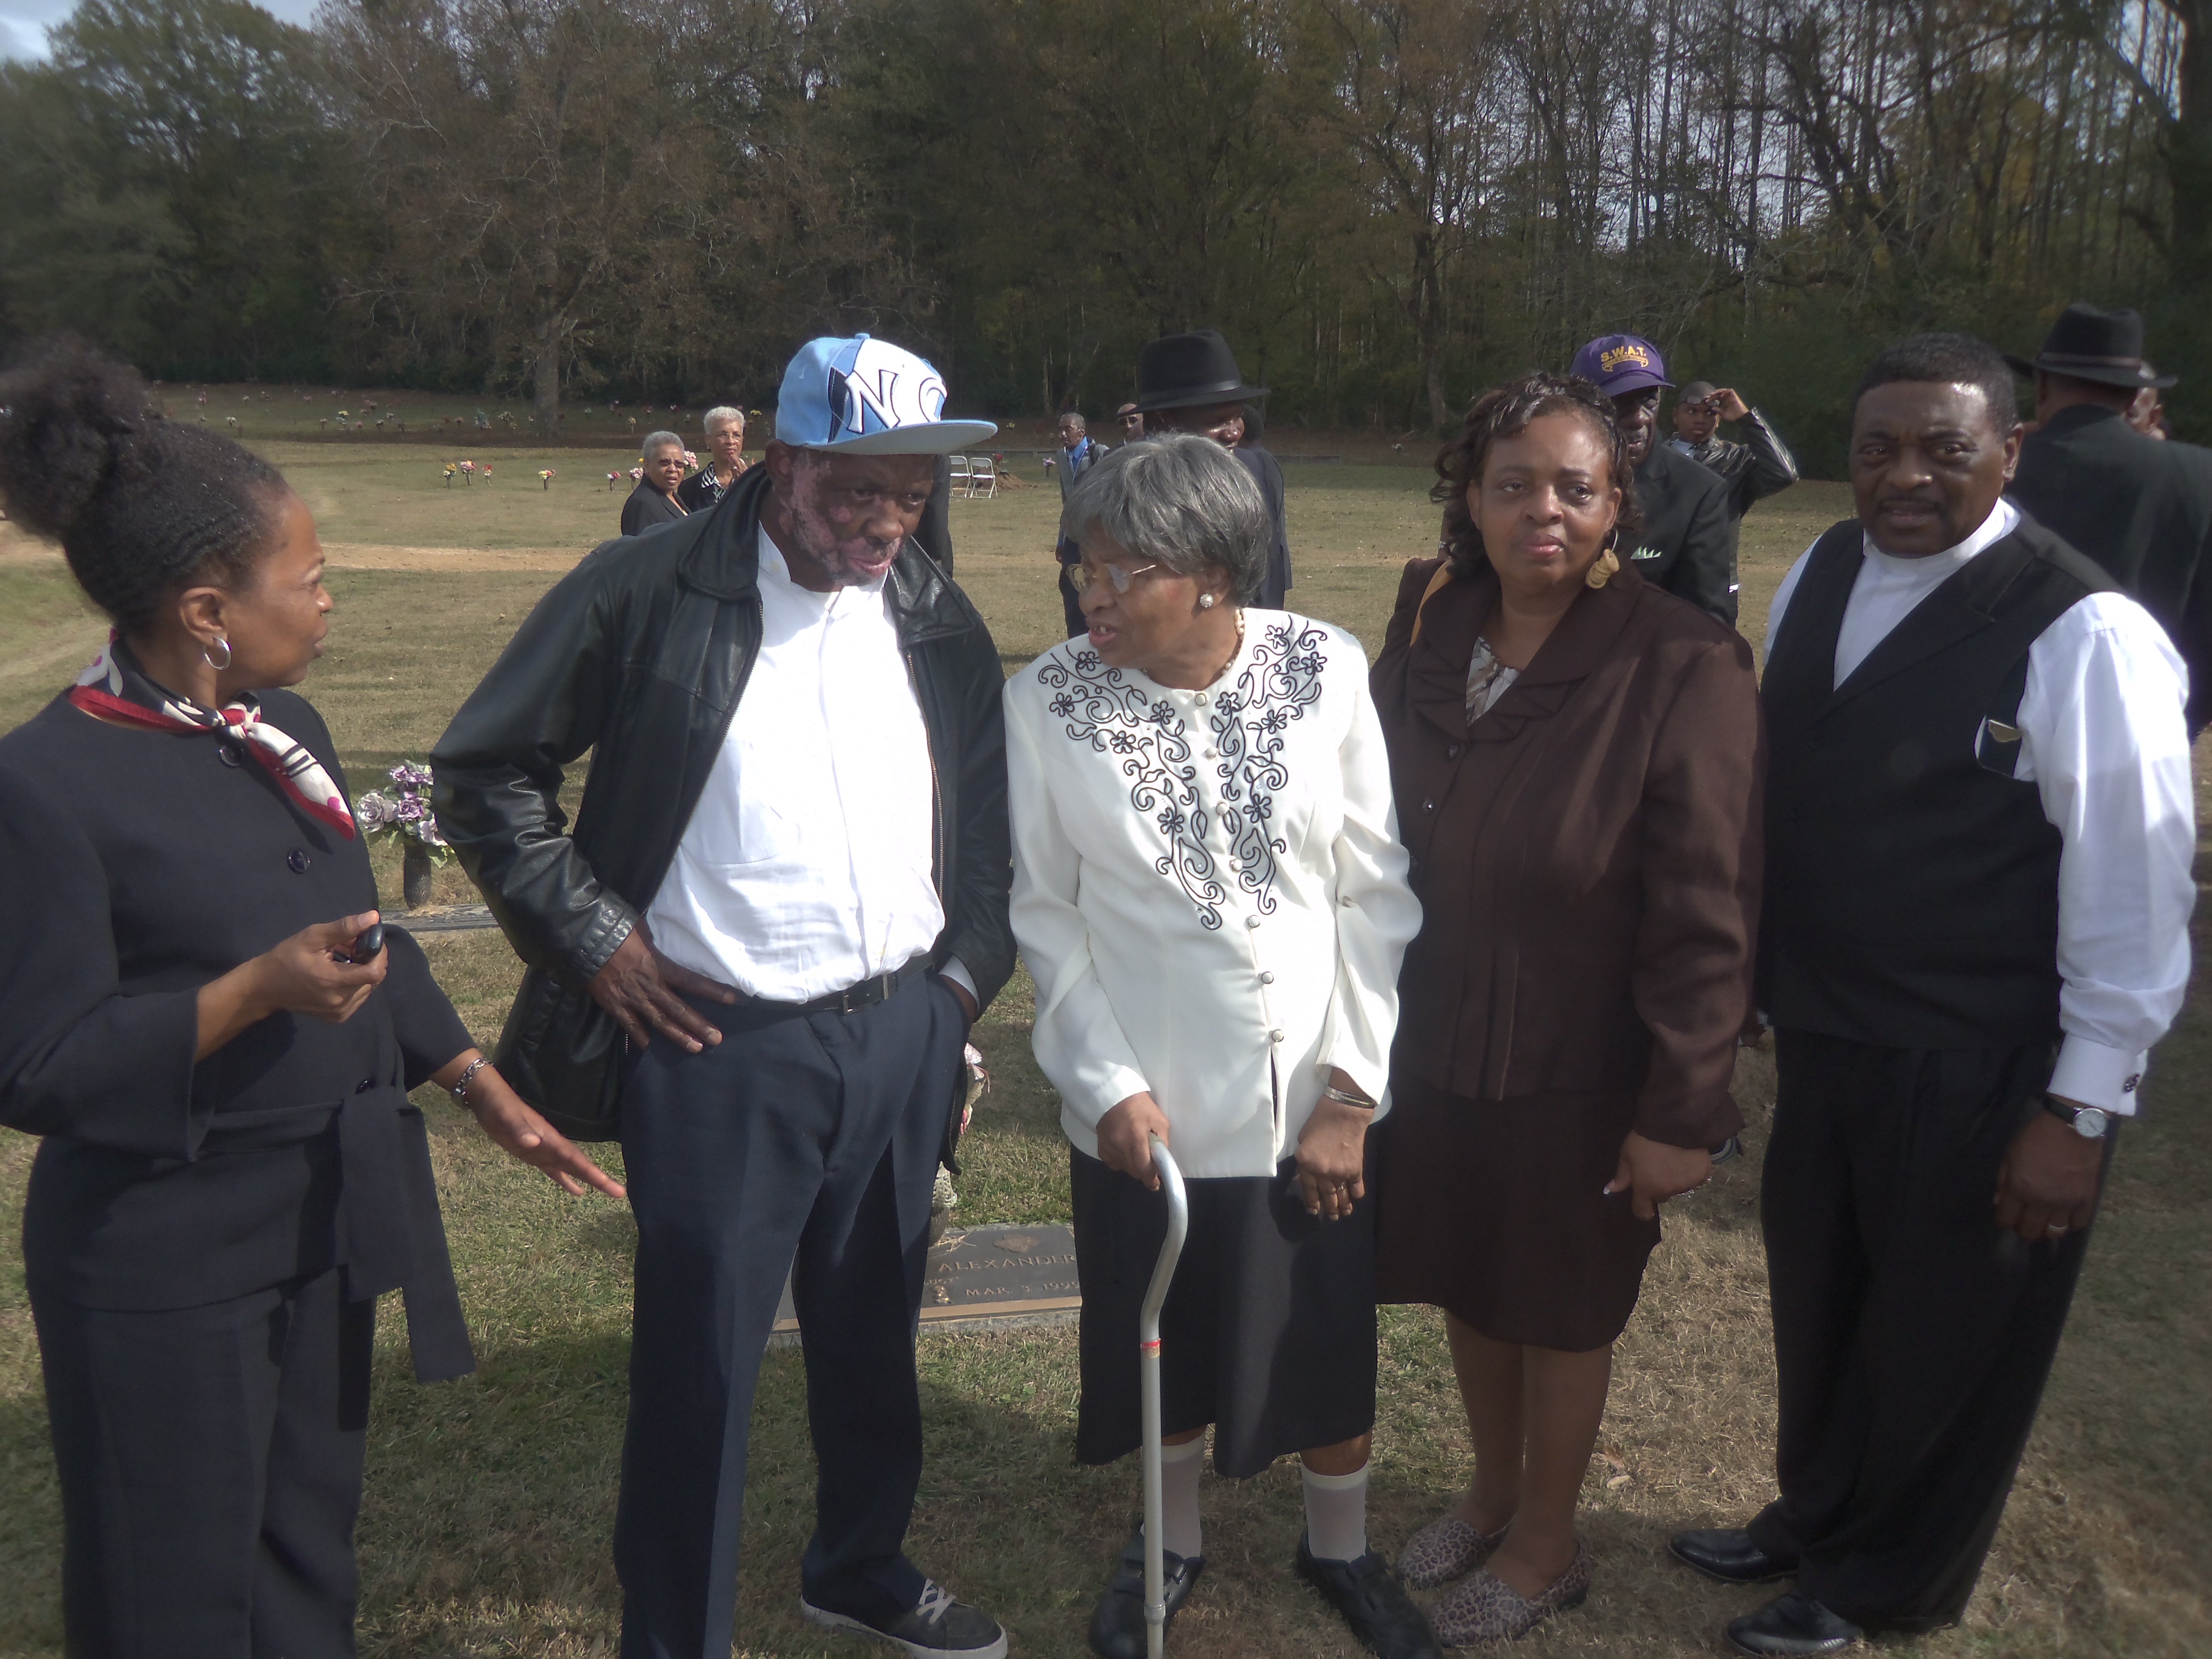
[{"x": 1689, "y": 543}]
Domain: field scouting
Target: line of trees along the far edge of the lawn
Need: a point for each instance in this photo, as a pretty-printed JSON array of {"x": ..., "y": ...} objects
[{"x": 1381, "y": 202}]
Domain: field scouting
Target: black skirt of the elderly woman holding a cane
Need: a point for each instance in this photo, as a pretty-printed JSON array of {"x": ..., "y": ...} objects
[{"x": 1269, "y": 1331}]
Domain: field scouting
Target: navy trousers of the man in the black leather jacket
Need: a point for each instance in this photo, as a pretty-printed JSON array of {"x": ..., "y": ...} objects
[{"x": 806, "y": 1145}]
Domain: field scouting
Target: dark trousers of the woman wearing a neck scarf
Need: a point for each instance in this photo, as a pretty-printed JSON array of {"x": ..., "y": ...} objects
[{"x": 211, "y": 1472}]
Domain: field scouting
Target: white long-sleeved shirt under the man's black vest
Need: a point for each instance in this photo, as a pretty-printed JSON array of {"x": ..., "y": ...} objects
[{"x": 2105, "y": 742}]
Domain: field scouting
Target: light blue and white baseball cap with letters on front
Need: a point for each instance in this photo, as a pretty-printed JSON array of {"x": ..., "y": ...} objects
[{"x": 866, "y": 397}]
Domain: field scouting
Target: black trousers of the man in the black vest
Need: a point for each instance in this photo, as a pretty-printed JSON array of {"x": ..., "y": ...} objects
[{"x": 1910, "y": 1333}]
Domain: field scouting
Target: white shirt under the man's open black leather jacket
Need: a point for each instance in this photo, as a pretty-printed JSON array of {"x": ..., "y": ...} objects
[{"x": 806, "y": 866}]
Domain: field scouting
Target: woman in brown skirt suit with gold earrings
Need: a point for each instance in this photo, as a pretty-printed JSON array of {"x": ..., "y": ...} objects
[{"x": 1578, "y": 771}]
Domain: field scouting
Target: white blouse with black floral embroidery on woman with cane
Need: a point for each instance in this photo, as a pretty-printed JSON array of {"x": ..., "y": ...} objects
[{"x": 1209, "y": 888}]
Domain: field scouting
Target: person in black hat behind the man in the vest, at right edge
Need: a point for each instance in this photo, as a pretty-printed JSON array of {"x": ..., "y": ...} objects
[{"x": 2136, "y": 505}]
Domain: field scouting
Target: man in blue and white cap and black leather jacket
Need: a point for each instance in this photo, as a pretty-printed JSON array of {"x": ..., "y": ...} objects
[{"x": 755, "y": 959}]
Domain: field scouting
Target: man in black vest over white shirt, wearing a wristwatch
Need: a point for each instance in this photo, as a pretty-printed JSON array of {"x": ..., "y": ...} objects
[{"x": 1976, "y": 926}]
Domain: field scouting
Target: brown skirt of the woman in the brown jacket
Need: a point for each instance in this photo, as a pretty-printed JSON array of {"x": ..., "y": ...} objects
[{"x": 1496, "y": 1213}]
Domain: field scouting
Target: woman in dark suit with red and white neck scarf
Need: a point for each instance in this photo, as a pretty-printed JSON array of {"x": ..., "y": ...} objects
[{"x": 196, "y": 1021}]
